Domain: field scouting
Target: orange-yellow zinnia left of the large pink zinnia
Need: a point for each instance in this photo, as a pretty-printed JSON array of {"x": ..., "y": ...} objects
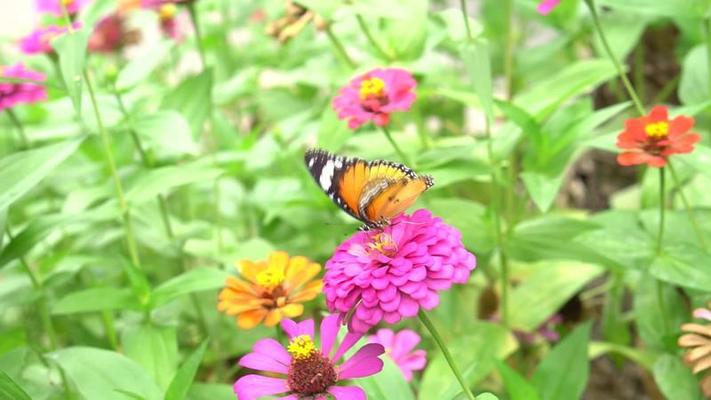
[{"x": 272, "y": 289}]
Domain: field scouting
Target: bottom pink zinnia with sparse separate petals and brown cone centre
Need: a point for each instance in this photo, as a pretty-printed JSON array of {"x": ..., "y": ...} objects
[{"x": 307, "y": 371}]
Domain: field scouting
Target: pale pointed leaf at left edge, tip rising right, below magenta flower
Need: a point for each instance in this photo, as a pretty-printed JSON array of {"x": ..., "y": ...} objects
[{"x": 20, "y": 172}]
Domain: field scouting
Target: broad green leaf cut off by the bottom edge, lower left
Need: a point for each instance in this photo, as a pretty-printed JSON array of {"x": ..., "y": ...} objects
[{"x": 103, "y": 374}]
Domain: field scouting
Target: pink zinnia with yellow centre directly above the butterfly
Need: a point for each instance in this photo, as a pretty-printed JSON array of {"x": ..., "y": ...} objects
[{"x": 374, "y": 96}]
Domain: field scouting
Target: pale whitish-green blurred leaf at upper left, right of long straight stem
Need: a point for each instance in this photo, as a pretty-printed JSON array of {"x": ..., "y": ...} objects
[{"x": 167, "y": 133}]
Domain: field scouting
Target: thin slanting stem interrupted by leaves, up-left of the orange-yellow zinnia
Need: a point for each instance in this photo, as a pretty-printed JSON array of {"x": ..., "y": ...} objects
[{"x": 163, "y": 207}]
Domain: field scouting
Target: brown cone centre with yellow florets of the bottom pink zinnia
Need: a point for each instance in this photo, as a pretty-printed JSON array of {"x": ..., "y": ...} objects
[{"x": 310, "y": 373}]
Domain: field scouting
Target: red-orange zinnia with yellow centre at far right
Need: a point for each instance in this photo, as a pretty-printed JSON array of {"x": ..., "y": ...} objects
[{"x": 652, "y": 138}]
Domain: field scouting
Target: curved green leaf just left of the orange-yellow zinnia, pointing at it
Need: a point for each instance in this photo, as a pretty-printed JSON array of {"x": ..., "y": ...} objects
[{"x": 196, "y": 280}]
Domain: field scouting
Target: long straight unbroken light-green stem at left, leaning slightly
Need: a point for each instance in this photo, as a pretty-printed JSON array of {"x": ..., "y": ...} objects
[{"x": 108, "y": 152}]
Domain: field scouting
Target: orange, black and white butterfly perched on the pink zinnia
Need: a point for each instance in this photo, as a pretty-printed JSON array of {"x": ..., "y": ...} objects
[{"x": 373, "y": 192}]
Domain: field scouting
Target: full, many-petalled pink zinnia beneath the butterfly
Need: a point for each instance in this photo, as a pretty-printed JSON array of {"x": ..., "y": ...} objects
[{"x": 391, "y": 273}]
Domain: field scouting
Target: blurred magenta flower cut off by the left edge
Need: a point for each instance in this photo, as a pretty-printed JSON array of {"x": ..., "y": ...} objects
[{"x": 12, "y": 93}]
